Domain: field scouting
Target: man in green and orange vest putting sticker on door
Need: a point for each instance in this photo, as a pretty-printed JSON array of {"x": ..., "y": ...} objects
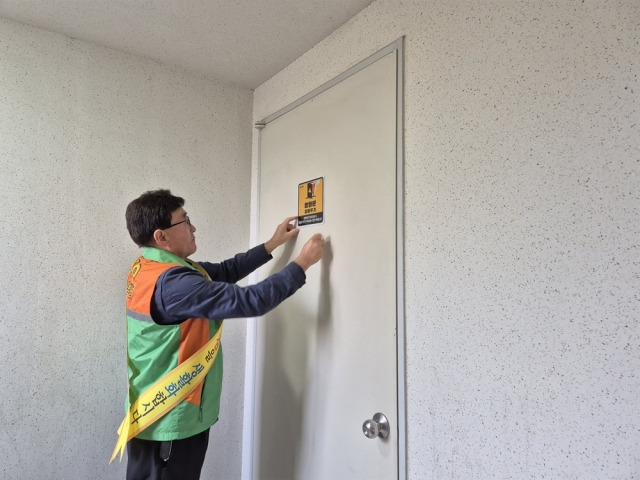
[{"x": 174, "y": 308}]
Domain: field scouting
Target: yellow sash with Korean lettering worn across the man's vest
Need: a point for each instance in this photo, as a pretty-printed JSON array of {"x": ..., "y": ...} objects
[{"x": 169, "y": 391}]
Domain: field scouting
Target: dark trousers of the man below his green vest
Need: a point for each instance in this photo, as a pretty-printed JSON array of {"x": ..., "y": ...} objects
[{"x": 172, "y": 460}]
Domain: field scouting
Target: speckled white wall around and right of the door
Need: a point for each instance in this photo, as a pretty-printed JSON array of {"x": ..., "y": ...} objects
[{"x": 522, "y": 148}]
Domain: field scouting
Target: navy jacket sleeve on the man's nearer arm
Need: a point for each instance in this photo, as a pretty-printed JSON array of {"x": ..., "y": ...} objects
[{"x": 182, "y": 293}]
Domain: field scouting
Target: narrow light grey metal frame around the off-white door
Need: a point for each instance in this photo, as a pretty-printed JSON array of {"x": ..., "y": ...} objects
[{"x": 251, "y": 335}]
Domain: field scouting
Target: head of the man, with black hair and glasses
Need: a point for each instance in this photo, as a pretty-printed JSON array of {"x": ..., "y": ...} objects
[{"x": 157, "y": 219}]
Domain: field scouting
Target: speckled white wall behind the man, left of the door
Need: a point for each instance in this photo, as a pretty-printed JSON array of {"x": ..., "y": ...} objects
[{"x": 84, "y": 130}]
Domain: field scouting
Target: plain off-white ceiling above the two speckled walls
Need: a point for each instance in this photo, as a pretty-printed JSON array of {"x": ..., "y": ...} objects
[{"x": 242, "y": 42}]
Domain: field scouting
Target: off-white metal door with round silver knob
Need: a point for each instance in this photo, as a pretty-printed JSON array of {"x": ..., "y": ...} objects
[{"x": 326, "y": 357}]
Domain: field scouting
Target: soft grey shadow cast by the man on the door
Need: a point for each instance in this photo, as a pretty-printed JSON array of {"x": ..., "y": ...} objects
[{"x": 294, "y": 338}]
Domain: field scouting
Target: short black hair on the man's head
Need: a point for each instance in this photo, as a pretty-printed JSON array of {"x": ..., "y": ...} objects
[{"x": 150, "y": 211}]
